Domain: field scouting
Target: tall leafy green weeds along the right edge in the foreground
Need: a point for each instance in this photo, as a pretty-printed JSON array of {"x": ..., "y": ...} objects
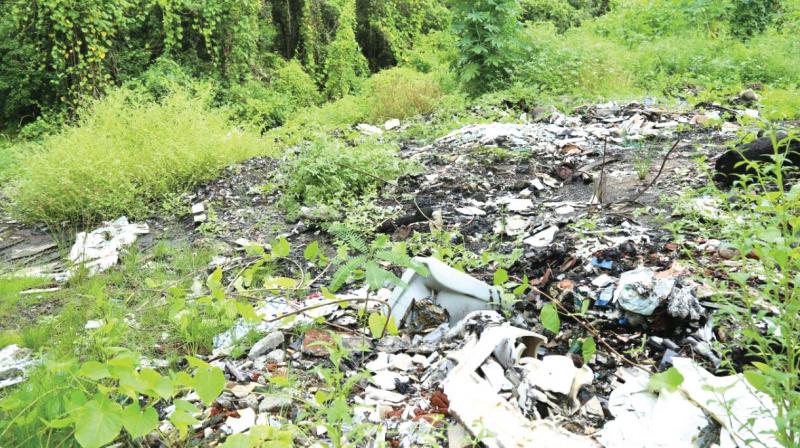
[{"x": 760, "y": 300}]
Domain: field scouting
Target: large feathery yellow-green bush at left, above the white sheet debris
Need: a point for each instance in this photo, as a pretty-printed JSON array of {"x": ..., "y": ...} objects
[{"x": 124, "y": 156}]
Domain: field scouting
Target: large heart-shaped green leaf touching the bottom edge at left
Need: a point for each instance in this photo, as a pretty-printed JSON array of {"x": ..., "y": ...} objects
[{"x": 99, "y": 423}]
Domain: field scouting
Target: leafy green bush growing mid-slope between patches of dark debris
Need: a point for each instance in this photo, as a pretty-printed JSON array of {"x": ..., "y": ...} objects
[{"x": 327, "y": 173}]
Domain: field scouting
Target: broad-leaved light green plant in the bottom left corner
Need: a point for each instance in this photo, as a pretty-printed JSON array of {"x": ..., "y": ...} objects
[{"x": 109, "y": 397}]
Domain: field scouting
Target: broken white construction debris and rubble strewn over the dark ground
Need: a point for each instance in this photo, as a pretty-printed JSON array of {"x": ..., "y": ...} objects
[{"x": 468, "y": 365}]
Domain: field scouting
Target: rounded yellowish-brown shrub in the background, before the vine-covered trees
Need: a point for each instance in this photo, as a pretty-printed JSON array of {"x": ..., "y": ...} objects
[{"x": 401, "y": 93}]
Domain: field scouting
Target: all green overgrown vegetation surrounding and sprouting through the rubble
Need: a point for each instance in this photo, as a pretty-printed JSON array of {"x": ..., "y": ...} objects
[{"x": 117, "y": 107}]
